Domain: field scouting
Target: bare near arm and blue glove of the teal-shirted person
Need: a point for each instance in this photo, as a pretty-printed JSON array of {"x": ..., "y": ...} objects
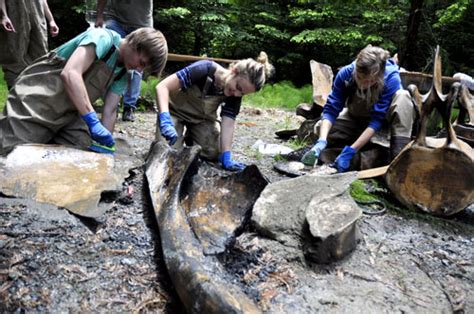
[{"x": 71, "y": 75}]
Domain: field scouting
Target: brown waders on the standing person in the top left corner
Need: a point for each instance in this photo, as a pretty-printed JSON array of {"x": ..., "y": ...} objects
[{"x": 30, "y": 41}]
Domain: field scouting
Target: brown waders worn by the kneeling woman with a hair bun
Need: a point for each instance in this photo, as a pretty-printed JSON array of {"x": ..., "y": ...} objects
[{"x": 197, "y": 113}]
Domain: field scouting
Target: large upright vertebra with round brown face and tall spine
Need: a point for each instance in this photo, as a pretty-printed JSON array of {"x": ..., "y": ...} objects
[{"x": 434, "y": 175}]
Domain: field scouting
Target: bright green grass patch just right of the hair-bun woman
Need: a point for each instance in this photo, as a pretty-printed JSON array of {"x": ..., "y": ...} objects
[{"x": 279, "y": 95}]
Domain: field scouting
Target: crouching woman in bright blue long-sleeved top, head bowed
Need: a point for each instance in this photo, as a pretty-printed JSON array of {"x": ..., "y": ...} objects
[{"x": 366, "y": 96}]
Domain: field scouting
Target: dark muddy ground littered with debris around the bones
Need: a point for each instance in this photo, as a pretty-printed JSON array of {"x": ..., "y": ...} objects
[{"x": 404, "y": 262}]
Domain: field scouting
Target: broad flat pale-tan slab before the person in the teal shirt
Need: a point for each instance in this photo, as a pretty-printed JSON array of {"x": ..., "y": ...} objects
[{"x": 63, "y": 176}]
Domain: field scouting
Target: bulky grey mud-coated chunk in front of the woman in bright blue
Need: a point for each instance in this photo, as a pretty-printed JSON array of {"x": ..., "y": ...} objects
[{"x": 313, "y": 212}]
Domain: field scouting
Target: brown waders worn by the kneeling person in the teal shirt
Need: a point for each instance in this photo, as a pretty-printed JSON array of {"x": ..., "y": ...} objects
[{"x": 38, "y": 109}]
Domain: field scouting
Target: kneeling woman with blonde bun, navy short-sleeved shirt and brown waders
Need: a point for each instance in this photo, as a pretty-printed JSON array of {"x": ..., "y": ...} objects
[{"x": 190, "y": 98}]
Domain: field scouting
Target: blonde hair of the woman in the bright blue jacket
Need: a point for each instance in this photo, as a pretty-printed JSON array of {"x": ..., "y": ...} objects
[{"x": 370, "y": 62}]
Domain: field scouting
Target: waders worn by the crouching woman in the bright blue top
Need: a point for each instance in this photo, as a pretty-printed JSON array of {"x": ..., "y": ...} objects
[{"x": 355, "y": 117}]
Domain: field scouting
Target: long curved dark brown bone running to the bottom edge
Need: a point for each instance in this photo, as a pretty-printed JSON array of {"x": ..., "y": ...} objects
[{"x": 198, "y": 279}]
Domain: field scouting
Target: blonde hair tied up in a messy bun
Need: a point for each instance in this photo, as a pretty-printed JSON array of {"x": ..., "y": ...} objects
[{"x": 257, "y": 72}]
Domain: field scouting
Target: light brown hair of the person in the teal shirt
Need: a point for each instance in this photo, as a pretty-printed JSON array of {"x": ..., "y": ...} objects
[{"x": 151, "y": 42}]
